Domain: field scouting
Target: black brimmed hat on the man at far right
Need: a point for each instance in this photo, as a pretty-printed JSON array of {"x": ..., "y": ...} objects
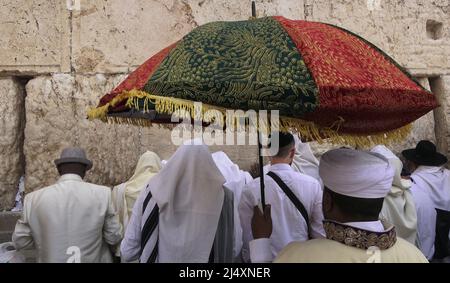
[{"x": 425, "y": 154}]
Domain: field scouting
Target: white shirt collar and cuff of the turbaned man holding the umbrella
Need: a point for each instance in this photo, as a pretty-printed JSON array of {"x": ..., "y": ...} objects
[{"x": 260, "y": 248}]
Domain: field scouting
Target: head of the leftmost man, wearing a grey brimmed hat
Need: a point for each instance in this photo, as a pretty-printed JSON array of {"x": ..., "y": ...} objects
[{"x": 73, "y": 161}]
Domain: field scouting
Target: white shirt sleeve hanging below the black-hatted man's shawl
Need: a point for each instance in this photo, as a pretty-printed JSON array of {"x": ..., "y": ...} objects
[{"x": 426, "y": 220}]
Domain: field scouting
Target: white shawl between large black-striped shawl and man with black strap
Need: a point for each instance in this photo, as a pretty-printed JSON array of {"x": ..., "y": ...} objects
[{"x": 236, "y": 180}]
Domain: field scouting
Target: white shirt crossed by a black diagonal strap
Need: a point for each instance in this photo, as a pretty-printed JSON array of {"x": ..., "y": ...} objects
[{"x": 288, "y": 223}]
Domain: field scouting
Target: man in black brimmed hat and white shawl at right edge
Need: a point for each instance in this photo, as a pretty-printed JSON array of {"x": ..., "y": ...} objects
[{"x": 430, "y": 176}]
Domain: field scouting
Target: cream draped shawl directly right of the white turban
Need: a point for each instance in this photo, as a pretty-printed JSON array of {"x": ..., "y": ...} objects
[{"x": 398, "y": 207}]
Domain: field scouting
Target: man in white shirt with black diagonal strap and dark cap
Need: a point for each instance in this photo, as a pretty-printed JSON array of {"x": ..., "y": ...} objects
[{"x": 295, "y": 200}]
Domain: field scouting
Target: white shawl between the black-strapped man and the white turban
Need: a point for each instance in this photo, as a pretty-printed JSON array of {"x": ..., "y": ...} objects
[{"x": 304, "y": 160}]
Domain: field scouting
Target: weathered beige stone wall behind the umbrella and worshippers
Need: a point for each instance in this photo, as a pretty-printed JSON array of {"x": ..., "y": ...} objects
[{"x": 74, "y": 53}]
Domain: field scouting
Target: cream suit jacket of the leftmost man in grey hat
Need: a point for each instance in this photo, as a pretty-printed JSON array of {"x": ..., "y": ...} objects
[{"x": 70, "y": 221}]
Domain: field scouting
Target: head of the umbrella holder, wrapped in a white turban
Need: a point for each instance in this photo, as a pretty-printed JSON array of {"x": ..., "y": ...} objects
[{"x": 356, "y": 183}]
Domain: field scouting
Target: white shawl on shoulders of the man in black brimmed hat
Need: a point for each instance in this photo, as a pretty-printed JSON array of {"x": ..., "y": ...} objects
[{"x": 436, "y": 181}]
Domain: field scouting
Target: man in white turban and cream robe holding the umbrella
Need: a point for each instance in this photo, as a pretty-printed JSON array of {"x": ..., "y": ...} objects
[{"x": 356, "y": 183}]
